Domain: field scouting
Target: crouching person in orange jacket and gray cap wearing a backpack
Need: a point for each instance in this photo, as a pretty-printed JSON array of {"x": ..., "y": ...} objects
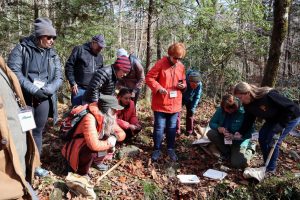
[{"x": 95, "y": 136}]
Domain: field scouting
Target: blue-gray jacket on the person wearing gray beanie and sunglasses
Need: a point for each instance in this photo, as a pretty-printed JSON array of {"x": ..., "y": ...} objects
[{"x": 24, "y": 63}]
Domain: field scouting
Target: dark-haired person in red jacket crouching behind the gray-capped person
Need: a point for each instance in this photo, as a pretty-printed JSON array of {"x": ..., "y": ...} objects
[{"x": 127, "y": 118}]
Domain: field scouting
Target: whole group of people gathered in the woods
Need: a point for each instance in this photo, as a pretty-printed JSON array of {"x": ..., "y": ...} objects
[{"x": 34, "y": 70}]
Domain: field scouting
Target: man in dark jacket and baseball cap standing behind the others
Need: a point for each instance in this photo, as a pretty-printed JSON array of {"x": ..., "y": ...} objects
[{"x": 81, "y": 65}]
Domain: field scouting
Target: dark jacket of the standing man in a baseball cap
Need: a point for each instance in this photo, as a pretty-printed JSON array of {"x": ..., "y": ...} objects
[{"x": 82, "y": 64}]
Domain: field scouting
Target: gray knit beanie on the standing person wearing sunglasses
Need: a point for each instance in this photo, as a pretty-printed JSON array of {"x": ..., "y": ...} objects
[{"x": 43, "y": 26}]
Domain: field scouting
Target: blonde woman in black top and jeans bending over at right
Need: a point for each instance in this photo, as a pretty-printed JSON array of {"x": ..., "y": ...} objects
[{"x": 281, "y": 115}]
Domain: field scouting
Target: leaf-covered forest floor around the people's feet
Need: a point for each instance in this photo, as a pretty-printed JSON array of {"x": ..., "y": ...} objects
[{"x": 138, "y": 178}]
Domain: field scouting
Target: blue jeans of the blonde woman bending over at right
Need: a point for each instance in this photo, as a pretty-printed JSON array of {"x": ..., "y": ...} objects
[{"x": 266, "y": 134}]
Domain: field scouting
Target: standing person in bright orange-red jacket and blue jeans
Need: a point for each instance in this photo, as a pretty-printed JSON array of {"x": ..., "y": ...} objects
[{"x": 167, "y": 81}]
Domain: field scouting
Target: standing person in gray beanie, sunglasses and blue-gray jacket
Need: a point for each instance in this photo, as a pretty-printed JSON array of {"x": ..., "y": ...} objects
[{"x": 38, "y": 69}]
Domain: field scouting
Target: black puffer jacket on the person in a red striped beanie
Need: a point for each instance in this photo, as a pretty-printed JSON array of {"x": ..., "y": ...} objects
[{"x": 103, "y": 81}]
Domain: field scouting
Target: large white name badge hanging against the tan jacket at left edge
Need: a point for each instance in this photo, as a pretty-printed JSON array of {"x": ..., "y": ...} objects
[{"x": 26, "y": 119}]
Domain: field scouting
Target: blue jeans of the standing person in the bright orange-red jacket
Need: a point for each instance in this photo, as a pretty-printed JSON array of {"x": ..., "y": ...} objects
[{"x": 164, "y": 122}]
